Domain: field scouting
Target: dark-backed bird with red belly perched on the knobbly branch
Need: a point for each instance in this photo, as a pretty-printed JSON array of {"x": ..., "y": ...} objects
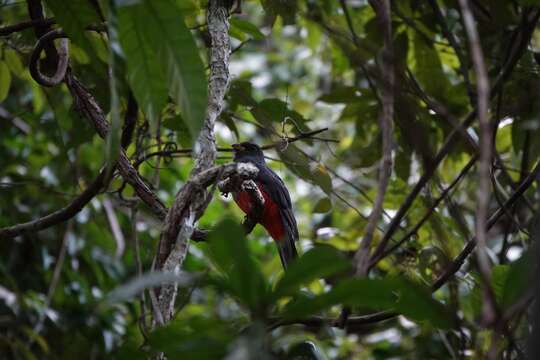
[{"x": 277, "y": 217}]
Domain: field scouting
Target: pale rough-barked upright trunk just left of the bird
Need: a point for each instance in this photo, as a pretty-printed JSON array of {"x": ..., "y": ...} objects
[{"x": 192, "y": 200}]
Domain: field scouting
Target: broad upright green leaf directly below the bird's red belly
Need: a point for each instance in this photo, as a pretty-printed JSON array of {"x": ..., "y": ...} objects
[{"x": 230, "y": 253}]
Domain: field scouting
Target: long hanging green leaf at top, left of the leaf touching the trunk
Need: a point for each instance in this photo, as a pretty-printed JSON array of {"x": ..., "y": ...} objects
[{"x": 145, "y": 71}]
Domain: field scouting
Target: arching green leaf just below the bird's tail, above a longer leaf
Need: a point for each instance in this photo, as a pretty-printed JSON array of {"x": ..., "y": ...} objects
[{"x": 319, "y": 262}]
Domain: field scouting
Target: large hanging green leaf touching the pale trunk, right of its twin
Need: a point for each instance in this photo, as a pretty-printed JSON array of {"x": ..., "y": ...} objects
[{"x": 175, "y": 49}]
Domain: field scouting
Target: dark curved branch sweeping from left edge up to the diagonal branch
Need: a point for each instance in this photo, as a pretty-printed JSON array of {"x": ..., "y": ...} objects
[{"x": 58, "y": 216}]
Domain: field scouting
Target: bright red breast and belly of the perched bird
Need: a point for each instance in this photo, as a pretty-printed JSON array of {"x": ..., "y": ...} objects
[{"x": 271, "y": 217}]
